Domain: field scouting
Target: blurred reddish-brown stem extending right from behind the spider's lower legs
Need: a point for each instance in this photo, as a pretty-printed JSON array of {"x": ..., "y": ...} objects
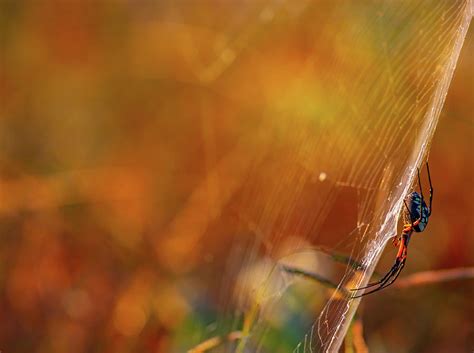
[{"x": 428, "y": 277}]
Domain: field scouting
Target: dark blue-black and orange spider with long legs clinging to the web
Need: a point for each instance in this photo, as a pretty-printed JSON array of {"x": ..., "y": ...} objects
[{"x": 416, "y": 218}]
